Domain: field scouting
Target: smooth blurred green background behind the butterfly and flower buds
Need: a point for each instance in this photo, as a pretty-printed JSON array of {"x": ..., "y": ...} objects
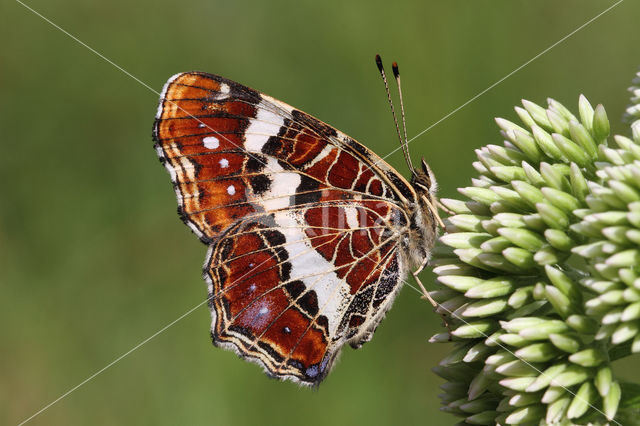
[{"x": 93, "y": 259}]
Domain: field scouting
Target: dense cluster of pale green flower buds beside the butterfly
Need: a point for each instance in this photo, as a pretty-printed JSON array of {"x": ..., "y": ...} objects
[{"x": 539, "y": 273}]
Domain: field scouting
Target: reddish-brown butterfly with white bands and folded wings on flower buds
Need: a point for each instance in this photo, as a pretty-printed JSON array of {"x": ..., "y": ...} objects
[{"x": 310, "y": 233}]
